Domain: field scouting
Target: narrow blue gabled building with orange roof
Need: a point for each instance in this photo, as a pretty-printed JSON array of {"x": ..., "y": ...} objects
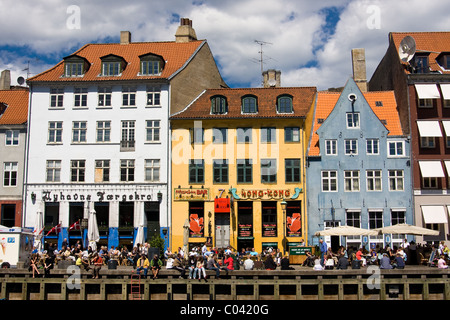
[{"x": 358, "y": 166}]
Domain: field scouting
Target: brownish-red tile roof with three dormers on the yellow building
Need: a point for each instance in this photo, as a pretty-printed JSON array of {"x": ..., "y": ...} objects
[{"x": 302, "y": 100}]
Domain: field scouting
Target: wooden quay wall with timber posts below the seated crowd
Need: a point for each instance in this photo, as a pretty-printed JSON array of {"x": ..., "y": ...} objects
[{"x": 412, "y": 283}]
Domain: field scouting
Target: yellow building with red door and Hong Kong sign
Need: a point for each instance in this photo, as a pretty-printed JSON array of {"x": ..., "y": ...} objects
[{"x": 238, "y": 168}]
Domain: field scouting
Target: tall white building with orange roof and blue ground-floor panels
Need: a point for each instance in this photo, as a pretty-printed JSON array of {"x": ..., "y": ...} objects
[{"x": 99, "y": 134}]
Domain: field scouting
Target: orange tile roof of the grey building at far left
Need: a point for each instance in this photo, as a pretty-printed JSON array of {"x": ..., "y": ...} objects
[{"x": 16, "y": 101}]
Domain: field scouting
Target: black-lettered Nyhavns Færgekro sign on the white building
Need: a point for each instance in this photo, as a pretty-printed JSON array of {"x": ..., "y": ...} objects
[{"x": 100, "y": 196}]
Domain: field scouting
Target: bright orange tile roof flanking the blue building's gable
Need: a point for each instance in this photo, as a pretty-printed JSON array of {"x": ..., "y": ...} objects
[{"x": 326, "y": 102}]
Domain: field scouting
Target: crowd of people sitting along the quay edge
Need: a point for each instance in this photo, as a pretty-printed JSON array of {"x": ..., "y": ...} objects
[{"x": 199, "y": 259}]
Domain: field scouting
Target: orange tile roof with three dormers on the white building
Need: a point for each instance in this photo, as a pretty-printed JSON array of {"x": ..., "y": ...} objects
[{"x": 175, "y": 56}]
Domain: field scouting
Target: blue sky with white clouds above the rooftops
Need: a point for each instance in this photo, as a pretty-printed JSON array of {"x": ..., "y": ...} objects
[{"x": 308, "y": 41}]
